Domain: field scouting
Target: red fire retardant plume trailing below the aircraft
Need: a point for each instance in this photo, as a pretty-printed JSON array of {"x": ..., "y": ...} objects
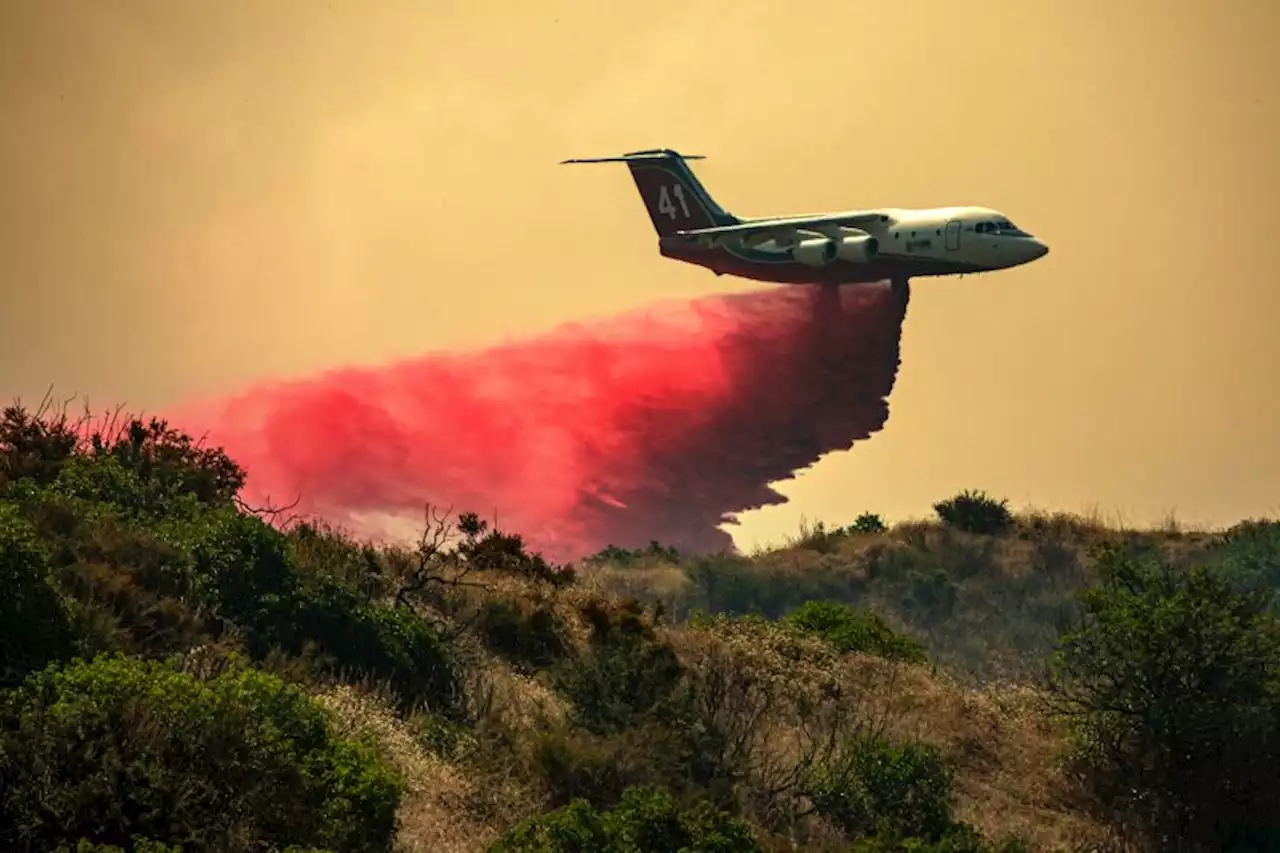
[{"x": 659, "y": 425}]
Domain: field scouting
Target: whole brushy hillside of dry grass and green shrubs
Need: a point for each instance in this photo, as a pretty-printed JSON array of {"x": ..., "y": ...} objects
[{"x": 180, "y": 669}]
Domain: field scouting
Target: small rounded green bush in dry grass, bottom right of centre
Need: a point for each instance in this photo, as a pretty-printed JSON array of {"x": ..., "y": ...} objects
[{"x": 893, "y": 790}]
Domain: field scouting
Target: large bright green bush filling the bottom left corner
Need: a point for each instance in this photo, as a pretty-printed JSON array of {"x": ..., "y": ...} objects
[{"x": 118, "y": 747}]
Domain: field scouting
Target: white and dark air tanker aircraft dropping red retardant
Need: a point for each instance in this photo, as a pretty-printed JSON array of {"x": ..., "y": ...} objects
[{"x": 840, "y": 248}]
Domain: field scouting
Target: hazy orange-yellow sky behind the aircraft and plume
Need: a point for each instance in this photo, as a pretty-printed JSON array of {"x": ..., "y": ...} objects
[{"x": 199, "y": 195}]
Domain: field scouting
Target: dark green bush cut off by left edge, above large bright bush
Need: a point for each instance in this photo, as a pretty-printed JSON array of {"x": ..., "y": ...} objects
[{"x": 35, "y": 623}]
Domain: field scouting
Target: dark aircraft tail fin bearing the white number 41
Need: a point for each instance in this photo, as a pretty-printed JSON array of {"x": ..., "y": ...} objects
[{"x": 674, "y": 197}]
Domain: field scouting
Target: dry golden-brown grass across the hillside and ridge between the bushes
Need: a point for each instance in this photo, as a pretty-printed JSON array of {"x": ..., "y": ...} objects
[{"x": 1002, "y": 742}]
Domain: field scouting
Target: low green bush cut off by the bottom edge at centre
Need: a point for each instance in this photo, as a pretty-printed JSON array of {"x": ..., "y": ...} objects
[{"x": 646, "y": 822}]
